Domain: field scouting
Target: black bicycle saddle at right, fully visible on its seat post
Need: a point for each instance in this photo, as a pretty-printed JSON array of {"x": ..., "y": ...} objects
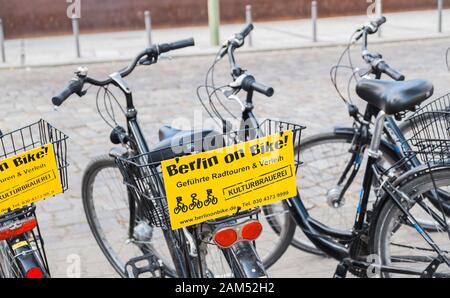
[{"x": 393, "y": 97}]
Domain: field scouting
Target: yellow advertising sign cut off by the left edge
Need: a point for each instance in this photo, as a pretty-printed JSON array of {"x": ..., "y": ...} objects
[{"x": 28, "y": 177}]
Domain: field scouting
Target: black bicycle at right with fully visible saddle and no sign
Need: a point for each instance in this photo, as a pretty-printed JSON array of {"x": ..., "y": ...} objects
[{"x": 393, "y": 237}]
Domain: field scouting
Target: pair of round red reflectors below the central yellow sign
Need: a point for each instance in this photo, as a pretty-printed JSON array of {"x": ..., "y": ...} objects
[{"x": 229, "y": 236}]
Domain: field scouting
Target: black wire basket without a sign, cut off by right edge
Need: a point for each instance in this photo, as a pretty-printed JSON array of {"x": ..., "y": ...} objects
[{"x": 430, "y": 139}]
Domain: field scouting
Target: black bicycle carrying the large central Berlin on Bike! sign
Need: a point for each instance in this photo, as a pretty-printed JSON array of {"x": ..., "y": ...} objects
[{"x": 130, "y": 221}]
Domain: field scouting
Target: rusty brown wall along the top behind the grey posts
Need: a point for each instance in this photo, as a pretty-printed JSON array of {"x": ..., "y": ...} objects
[{"x": 43, "y": 17}]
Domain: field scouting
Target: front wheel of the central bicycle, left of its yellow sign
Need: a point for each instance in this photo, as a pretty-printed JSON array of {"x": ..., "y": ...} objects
[{"x": 106, "y": 204}]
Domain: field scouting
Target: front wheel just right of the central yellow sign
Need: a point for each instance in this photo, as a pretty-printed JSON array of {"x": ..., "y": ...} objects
[{"x": 325, "y": 157}]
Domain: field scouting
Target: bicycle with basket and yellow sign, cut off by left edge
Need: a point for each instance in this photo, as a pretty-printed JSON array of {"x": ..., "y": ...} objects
[{"x": 22, "y": 252}]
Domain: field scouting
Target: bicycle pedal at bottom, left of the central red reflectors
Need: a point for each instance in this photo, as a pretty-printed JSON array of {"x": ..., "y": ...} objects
[{"x": 148, "y": 263}]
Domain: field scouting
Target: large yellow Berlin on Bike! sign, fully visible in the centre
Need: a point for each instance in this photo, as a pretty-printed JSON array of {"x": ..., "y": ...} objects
[{"x": 216, "y": 183}]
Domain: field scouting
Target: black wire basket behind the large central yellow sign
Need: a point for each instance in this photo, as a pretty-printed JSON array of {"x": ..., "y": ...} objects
[{"x": 143, "y": 176}]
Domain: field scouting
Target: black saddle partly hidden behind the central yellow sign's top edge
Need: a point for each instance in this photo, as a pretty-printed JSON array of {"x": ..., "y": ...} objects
[{"x": 175, "y": 142}]
